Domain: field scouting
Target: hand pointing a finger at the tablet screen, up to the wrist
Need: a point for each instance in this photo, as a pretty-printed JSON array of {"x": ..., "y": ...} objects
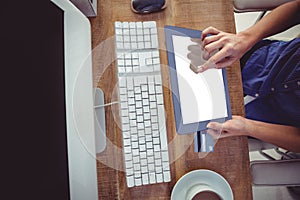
[{"x": 221, "y": 49}]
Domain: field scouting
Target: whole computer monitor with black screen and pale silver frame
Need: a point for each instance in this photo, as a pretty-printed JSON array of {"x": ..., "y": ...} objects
[{"x": 47, "y": 127}]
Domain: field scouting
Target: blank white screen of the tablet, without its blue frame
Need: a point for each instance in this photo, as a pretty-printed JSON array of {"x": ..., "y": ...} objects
[{"x": 202, "y": 96}]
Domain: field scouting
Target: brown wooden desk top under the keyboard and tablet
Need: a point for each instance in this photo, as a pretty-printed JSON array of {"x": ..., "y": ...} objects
[{"x": 230, "y": 158}]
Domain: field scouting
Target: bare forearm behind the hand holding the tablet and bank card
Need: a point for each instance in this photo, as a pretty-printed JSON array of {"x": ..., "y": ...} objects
[{"x": 287, "y": 137}]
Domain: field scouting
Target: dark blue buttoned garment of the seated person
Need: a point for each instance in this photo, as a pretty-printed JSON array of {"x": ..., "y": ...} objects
[{"x": 272, "y": 75}]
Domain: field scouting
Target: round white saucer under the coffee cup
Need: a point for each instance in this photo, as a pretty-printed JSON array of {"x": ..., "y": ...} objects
[{"x": 202, "y": 176}]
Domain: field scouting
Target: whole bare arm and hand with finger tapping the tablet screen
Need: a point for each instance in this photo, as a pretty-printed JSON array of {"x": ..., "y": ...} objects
[{"x": 232, "y": 46}]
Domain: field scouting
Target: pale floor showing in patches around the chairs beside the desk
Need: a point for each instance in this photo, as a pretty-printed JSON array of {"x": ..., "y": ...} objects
[{"x": 243, "y": 21}]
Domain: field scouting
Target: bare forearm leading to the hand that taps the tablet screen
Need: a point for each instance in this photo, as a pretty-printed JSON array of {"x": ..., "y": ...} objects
[{"x": 280, "y": 19}]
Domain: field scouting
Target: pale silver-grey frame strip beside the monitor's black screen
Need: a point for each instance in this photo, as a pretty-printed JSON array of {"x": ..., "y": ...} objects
[{"x": 79, "y": 103}]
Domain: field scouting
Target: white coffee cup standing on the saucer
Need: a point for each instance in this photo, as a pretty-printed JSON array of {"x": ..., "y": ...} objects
[{"x": 201, "y": 188}]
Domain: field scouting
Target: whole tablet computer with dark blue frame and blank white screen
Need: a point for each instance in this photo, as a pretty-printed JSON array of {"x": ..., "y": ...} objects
[{"x": 197, "y": 98}]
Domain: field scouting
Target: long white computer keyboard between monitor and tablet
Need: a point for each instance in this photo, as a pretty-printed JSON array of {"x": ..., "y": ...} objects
[{"x": 142, "y": 111}]
